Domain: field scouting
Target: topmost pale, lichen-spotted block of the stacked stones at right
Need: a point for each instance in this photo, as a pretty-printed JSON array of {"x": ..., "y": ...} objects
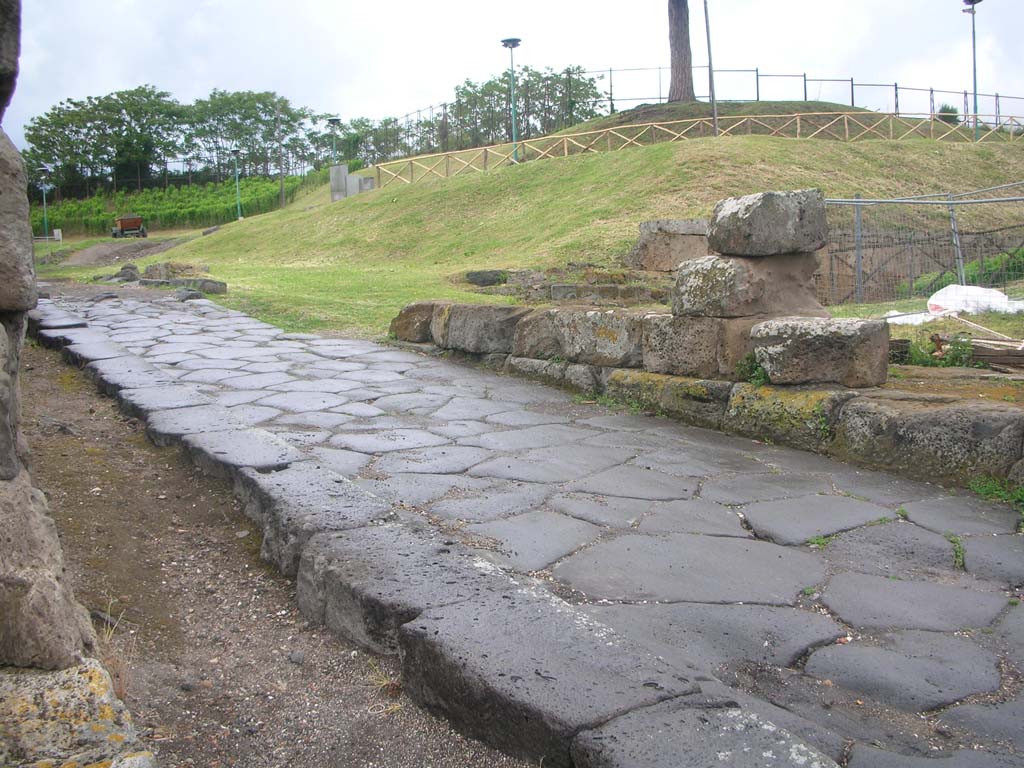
[{"x": 770, "y": 224}]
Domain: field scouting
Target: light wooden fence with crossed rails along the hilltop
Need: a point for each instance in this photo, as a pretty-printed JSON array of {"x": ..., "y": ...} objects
[{"x": 846, "y": 126}]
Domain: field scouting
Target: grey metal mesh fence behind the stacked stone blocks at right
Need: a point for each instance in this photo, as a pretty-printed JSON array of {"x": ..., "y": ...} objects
[{"x": 888, "y": 250}]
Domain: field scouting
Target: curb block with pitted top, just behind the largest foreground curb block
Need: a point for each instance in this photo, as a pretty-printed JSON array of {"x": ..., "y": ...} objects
[{"x": 366, "y": 583}]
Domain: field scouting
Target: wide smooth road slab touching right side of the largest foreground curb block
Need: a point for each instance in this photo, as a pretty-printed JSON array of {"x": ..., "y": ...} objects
[{"x": 710, "y": 636}]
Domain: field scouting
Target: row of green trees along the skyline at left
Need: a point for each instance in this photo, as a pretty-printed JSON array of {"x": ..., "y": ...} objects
[{"x": 143, "y": 138}]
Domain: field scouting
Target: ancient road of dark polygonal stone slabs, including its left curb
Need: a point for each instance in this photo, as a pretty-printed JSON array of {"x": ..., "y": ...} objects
[{"x": 873, "y": 618}]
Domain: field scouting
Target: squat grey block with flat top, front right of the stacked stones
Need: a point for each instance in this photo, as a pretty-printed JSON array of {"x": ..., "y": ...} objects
[{"x": 804, "y": 351}]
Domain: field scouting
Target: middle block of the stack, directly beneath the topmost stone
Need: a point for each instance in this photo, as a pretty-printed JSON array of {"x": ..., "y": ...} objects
[{"x": 733, "y": 287}]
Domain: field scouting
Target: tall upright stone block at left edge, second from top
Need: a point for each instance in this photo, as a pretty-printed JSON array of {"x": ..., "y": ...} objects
[{"x": 18, "y": 275}]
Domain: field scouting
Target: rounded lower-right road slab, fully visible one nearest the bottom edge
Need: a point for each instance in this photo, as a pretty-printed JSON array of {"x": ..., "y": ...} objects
[{"x": 913, "y": 670}]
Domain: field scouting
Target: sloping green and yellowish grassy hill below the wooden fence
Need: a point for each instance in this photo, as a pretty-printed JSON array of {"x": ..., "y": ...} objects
[{"x": 349, "y": 267}]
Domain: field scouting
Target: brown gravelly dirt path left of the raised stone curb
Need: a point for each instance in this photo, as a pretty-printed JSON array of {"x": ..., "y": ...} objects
[{"x": 215, "y": 660}]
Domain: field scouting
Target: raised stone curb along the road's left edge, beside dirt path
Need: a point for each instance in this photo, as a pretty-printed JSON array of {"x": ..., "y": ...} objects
[{"x": 505, "y": 662}]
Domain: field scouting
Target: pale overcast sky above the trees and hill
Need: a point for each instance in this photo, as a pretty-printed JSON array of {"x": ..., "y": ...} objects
[{"x": 387, "y": 59}]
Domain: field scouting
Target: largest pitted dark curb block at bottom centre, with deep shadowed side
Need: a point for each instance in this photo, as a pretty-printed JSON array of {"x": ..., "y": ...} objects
[{"x": 526, "y": 672}]
